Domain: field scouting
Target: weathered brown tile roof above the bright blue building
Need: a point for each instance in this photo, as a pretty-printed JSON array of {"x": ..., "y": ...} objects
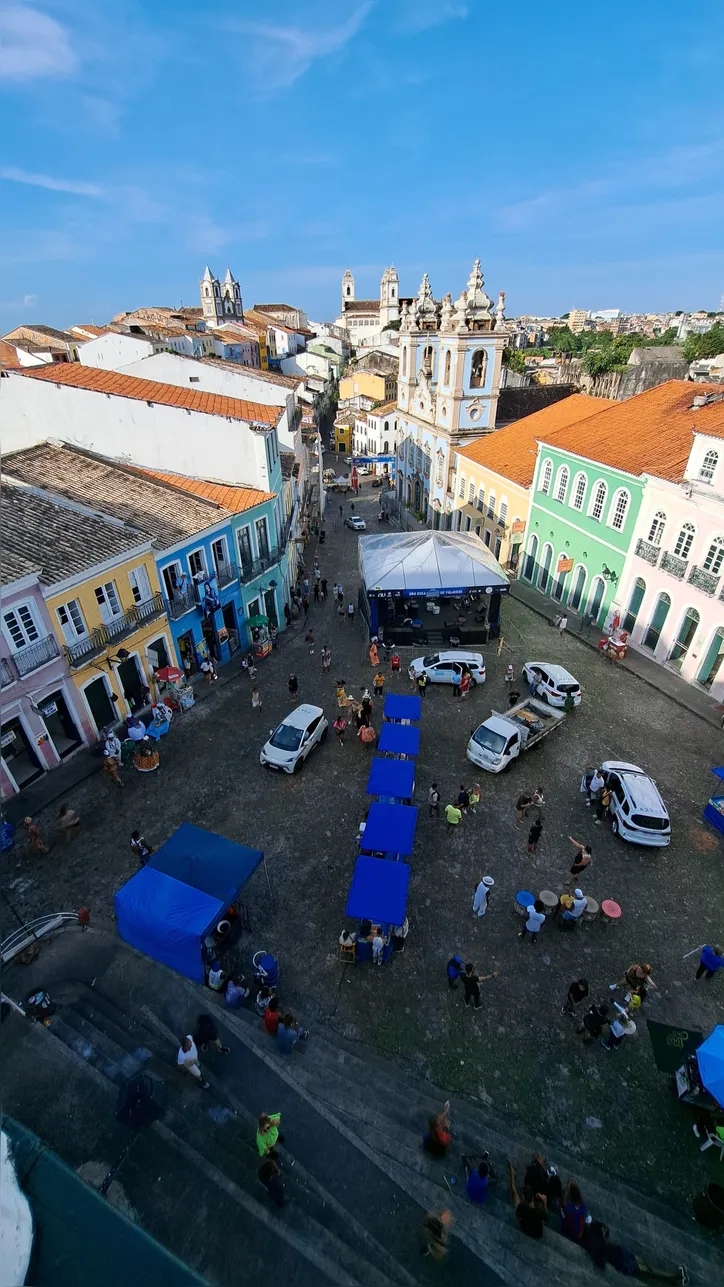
[{"x": 120, "y": 491}]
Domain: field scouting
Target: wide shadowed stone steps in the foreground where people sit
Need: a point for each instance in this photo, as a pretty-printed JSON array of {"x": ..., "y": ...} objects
[{"x": 367, "y": 1119}]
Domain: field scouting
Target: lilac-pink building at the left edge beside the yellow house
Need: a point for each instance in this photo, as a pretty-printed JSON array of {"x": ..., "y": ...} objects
[{"x": 43, "y": 716}]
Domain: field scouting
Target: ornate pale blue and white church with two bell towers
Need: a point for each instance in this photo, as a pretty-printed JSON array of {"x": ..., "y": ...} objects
[{"x": 448, "y": 387}]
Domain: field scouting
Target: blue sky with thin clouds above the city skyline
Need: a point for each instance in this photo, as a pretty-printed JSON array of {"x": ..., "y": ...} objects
[{"x": 578, "y": 150}]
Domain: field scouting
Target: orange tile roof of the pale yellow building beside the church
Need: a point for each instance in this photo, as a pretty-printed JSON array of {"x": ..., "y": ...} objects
[{"x": 511, "y": 452}]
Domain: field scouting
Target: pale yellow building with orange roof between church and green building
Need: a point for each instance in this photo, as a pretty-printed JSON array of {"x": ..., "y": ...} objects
[{"x": 493, "y": 476}]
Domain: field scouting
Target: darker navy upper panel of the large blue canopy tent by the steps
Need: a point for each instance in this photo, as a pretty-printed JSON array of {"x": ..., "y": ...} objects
[{"x": 206, "y": 862}]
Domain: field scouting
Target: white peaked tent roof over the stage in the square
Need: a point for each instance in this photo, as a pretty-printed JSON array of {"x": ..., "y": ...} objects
[{"x": 434, "y": 563}]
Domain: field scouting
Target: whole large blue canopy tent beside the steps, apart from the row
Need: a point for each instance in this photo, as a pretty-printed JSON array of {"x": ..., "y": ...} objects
[{"x": 174, "y": 904}]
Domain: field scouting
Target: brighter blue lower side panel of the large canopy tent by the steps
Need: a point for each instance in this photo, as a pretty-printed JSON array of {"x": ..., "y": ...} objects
[{"x": 167, "y": 920}]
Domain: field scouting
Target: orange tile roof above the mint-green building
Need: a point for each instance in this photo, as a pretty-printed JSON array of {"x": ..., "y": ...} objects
[{"x": 647, "y": 434}]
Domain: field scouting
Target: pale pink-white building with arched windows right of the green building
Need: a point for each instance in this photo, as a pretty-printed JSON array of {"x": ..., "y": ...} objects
[{"x": 672, "y": 594}]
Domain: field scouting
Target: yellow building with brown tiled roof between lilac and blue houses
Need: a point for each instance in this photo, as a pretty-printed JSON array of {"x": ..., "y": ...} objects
[{"x": 101, "y": 586}]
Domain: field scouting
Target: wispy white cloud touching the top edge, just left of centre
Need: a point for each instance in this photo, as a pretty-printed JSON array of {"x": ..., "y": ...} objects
[{"x": 280, "y": 56}]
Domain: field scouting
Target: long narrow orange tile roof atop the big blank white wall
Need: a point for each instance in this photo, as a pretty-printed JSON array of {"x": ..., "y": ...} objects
[{"x": 77, "y": 376}]
